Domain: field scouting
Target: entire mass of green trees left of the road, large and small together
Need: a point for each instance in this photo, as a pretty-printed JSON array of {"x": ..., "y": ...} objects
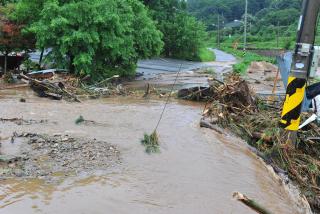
[{"x": 107, "y": 37}]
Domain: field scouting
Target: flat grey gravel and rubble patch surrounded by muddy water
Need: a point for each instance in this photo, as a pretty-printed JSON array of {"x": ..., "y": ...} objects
[{"x": 45, "y": 156}]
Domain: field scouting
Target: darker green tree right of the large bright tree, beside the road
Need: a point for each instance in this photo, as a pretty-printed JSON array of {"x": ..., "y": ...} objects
[{"x": 184, "y": 36}]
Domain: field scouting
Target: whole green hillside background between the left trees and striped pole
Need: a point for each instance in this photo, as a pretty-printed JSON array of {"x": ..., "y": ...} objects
[{"x": 271, "y": 23}]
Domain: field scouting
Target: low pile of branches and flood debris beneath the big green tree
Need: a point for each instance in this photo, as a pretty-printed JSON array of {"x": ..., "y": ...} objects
[{"x": 60, "y": 85}]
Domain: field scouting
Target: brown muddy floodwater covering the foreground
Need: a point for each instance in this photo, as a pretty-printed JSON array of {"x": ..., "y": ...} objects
[{"x": 196, "y": 171}]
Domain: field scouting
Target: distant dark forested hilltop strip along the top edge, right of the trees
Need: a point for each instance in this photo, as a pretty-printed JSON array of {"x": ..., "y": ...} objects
[{"x": 271, "y": 11}]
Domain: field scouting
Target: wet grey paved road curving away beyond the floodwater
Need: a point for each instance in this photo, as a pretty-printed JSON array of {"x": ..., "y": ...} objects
[{"x": 162, "y": 72}]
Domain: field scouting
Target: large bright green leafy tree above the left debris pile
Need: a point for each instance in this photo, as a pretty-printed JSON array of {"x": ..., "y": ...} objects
[{"x": 107, "y": 38}]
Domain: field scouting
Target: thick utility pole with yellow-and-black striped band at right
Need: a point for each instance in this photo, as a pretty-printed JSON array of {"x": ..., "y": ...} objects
[{"x": 301, "y": 64}]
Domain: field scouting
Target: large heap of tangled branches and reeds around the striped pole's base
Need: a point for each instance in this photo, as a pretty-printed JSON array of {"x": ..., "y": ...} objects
[{"x": 236, "y": 108}]
